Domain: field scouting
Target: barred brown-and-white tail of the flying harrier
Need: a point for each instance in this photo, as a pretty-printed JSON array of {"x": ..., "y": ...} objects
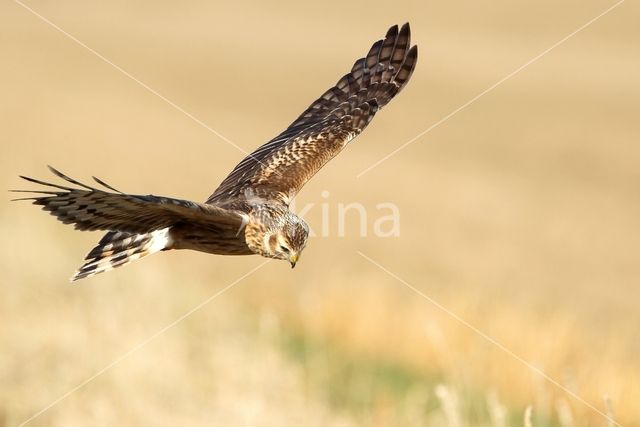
[{"x": 118, "y": 248}]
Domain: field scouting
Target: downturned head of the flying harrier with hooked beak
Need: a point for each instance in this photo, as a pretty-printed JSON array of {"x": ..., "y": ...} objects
[{"x": 286, "y": 239}]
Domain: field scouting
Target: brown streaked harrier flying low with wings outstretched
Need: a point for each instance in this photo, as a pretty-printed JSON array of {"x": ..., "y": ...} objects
[{"x": 249, "y": 212}]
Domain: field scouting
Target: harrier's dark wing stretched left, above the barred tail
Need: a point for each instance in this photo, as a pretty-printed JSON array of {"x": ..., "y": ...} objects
[{"x": 90, "y": 208}]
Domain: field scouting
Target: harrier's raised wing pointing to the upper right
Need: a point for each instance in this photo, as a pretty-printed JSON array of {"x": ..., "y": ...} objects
[{"x": 278, "y": 169}]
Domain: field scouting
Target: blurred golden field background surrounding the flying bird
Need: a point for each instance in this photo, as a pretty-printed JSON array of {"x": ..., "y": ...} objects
[{"x": 520, "y": 214}]
